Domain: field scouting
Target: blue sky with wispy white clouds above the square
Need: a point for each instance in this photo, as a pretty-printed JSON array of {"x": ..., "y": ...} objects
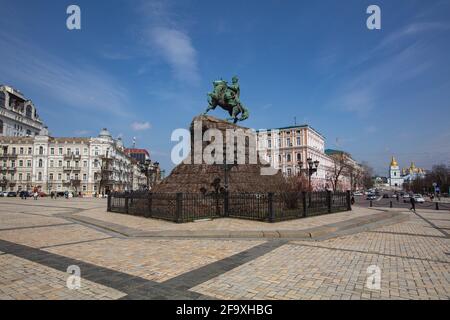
[{"x": 143, "y": 68}]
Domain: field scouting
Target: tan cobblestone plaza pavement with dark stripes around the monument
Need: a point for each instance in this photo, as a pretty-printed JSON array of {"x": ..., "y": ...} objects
[{"x": 39, "y": 241}]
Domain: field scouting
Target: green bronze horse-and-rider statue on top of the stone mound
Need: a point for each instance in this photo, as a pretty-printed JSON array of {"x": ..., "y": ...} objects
[{"x": 227, "y": 97}]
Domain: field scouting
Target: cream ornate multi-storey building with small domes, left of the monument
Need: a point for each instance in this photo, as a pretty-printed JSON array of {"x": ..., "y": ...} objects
[{"x": 86, "y": 166}]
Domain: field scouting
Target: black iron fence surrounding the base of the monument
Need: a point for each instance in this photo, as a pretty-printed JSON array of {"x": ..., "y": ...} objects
[{"x": 271, "y": 207}]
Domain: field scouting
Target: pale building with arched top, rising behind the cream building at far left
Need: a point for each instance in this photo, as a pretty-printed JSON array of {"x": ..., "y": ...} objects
[{"x": 18, "y": 115}]
